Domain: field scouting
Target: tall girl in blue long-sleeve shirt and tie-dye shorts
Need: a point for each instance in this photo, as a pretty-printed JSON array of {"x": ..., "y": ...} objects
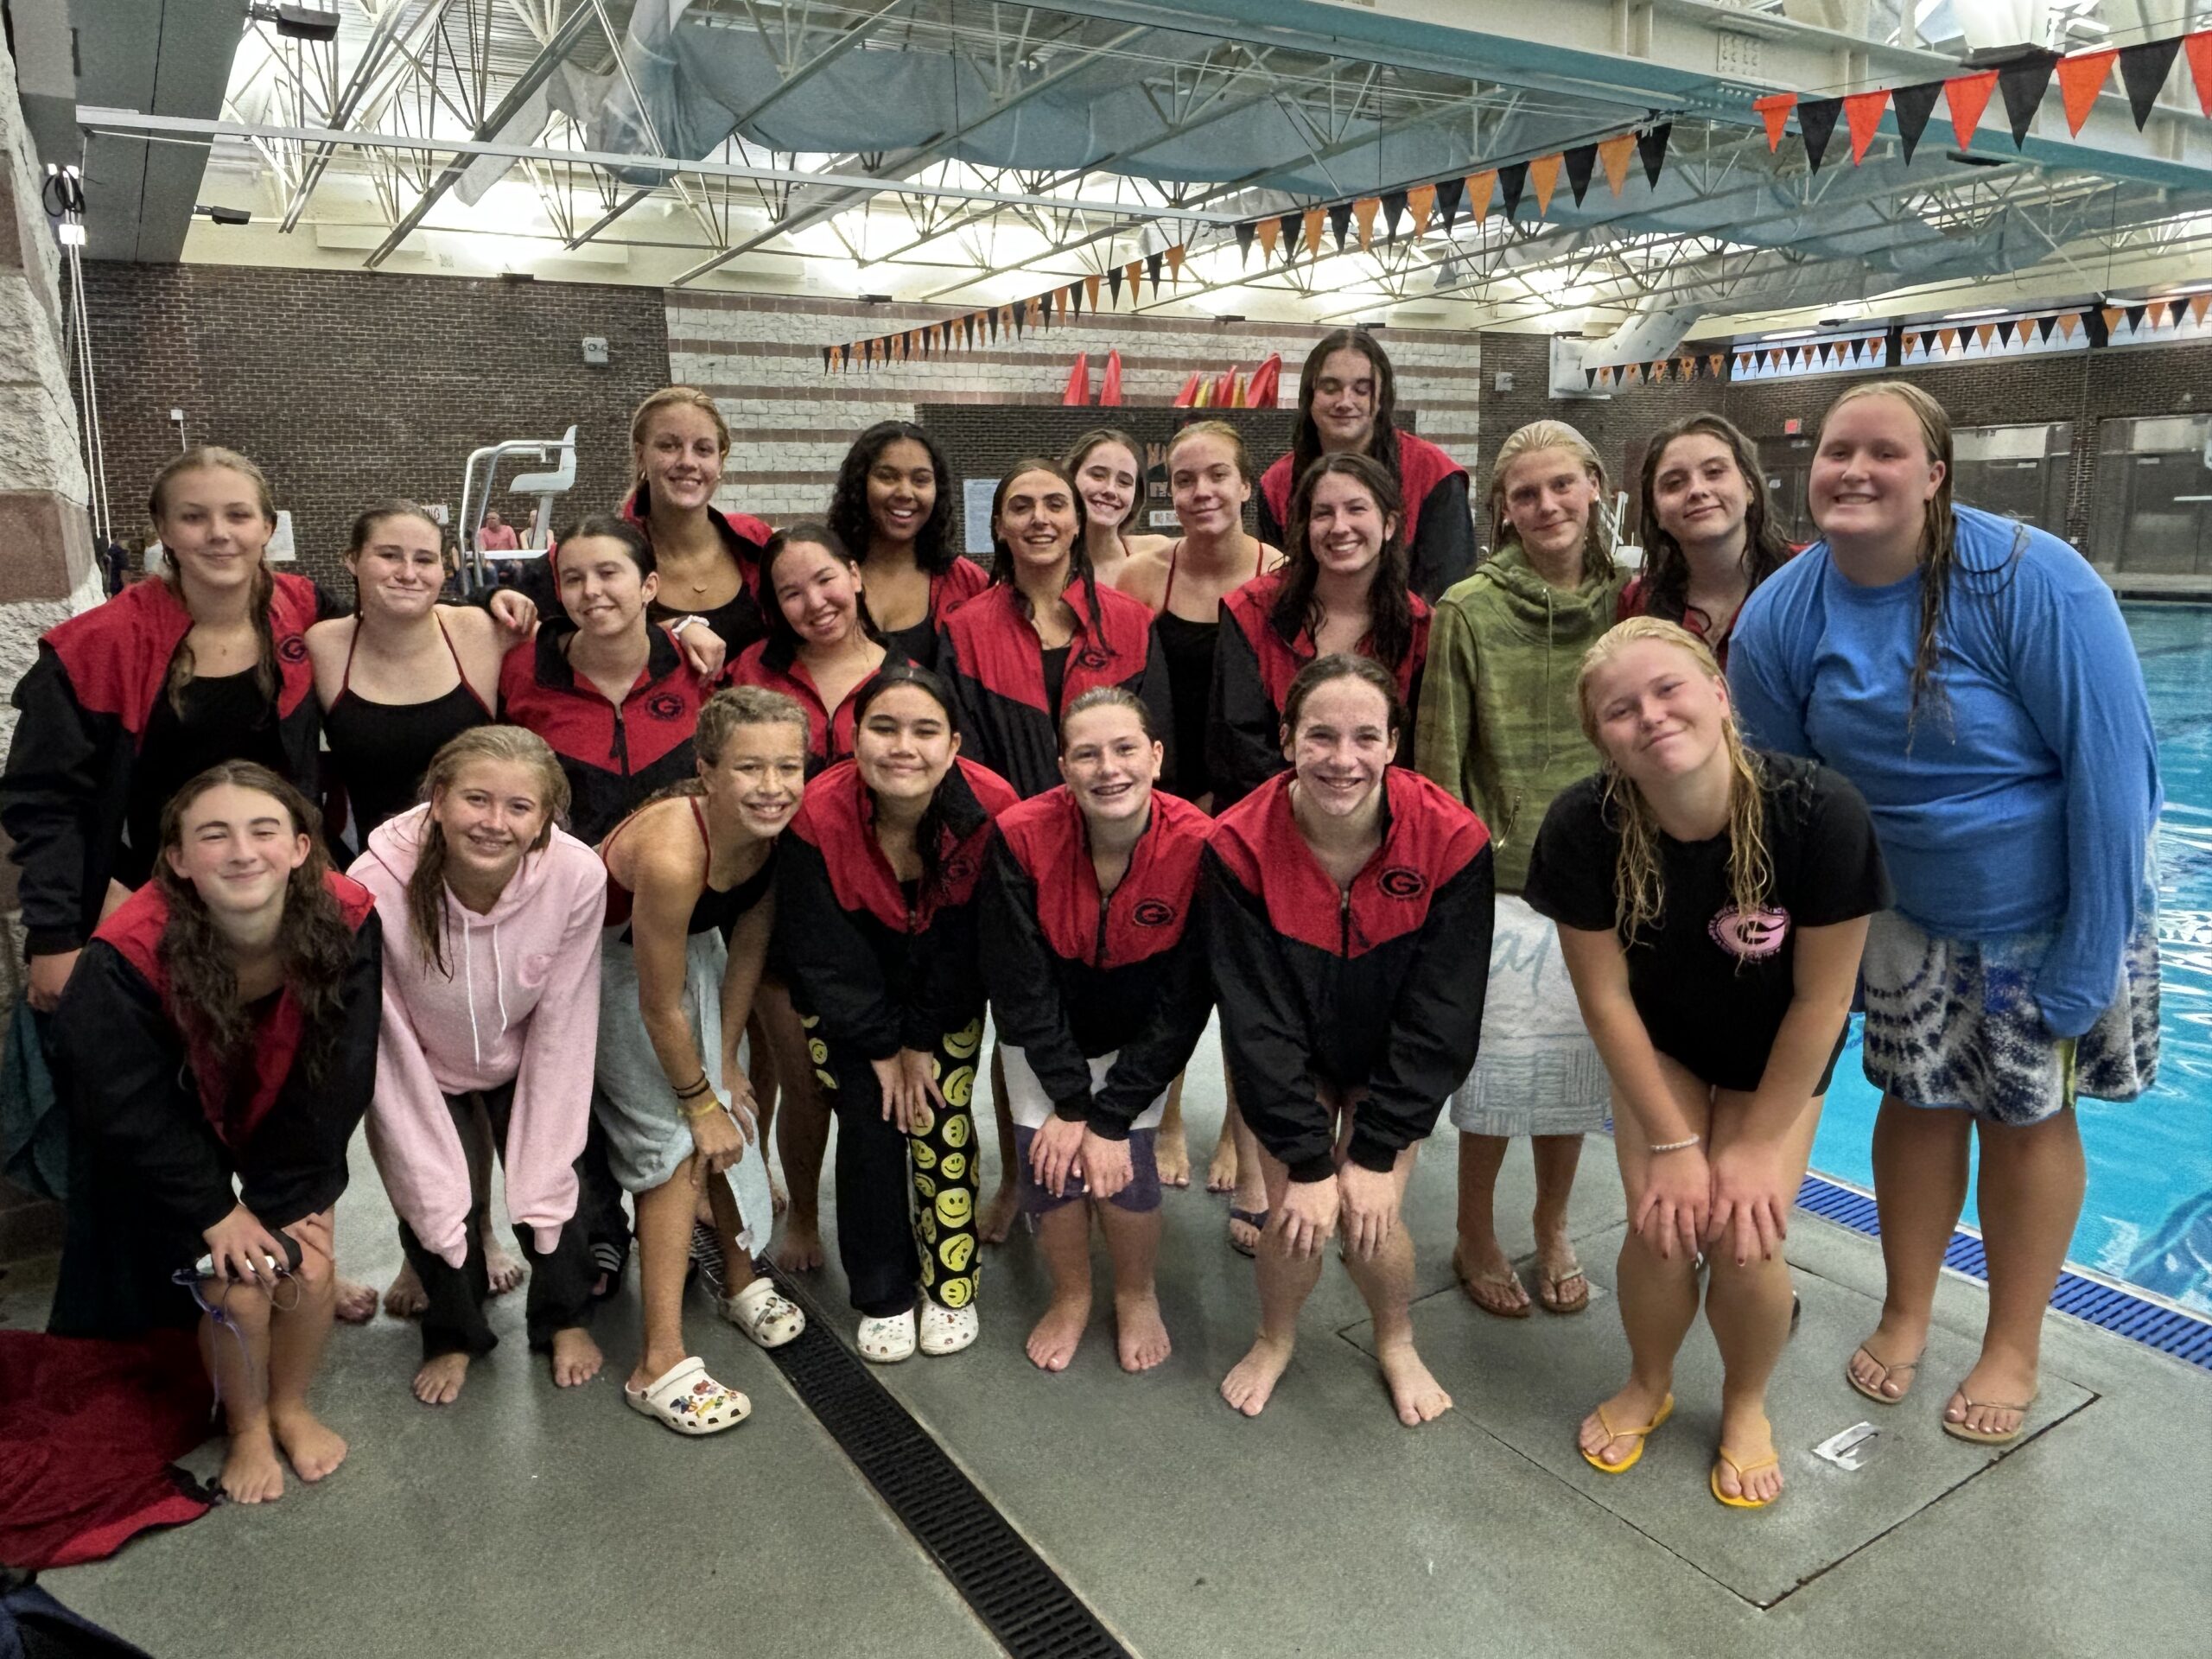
[{"x": 1974, "y": 680}]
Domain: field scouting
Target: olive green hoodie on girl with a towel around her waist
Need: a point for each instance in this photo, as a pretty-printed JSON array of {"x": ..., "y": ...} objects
[{"x": 1499, "y": 722}]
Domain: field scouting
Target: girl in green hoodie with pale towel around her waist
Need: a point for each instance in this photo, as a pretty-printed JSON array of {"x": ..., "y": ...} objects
[{"x": 1501, "y": 729}]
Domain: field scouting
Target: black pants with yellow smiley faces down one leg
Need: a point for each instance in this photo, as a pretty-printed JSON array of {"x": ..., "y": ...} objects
[{"x": 906, "y": 1202}]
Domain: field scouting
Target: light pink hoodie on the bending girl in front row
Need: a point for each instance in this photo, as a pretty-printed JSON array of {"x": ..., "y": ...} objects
[{"x": 534, "y": 954}]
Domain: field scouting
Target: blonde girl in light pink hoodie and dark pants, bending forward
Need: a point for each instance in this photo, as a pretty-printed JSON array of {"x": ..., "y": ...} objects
[{"x": 492, "y": 1003}]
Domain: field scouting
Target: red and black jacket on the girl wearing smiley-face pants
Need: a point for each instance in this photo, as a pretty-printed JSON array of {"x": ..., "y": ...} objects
[{"x": 881, "y": 972}]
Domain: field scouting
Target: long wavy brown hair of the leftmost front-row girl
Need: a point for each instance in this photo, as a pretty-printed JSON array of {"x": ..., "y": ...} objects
[{"x": 313, "y": 939}]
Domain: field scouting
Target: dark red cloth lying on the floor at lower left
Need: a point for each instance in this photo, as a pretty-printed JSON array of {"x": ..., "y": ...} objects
[{"x": 87, "y": 1439}]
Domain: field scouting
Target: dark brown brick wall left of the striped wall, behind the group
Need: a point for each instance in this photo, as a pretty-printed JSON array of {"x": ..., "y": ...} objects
[{"x": 355, "y": 386}]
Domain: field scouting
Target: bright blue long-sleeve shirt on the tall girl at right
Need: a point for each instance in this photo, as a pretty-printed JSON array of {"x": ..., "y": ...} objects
[{"x": 2023, "y": 806}]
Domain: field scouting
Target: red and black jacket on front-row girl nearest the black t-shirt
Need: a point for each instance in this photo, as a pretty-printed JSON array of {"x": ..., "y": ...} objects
[{"x": 1370, "y": 988}]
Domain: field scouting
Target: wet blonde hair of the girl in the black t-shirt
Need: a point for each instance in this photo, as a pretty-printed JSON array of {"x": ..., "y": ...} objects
[{"x": 1638, "y": 881}]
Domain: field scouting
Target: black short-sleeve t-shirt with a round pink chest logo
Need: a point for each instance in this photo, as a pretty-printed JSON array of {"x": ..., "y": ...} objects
[{"x": 1713, "y": 988}]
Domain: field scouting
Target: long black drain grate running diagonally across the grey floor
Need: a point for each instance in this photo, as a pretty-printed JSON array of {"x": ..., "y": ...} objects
[{"x": 1021, "y": 1600}]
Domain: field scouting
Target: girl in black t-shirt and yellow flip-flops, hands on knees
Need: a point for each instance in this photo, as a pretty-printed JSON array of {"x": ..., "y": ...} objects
[{"x": 1711, "y": 906}]
